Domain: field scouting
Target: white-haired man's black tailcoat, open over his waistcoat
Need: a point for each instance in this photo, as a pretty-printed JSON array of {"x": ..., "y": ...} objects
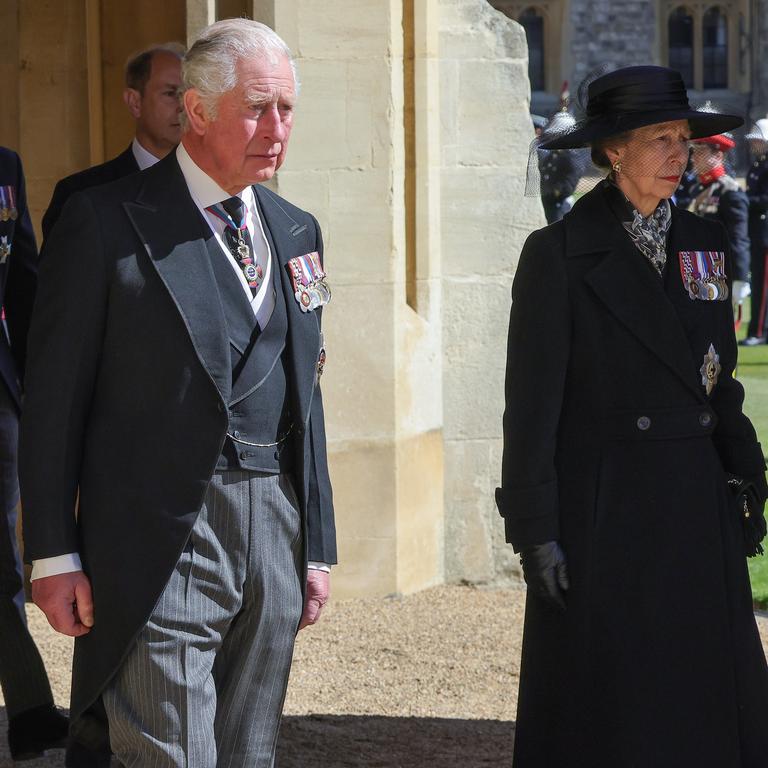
[{"x": 129, "y": 374}]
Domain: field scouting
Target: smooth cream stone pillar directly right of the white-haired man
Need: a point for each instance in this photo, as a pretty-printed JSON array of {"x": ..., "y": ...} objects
[{"x": 381, "y": 384}]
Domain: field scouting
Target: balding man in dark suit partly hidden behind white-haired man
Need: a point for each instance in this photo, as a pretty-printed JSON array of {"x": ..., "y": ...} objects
[{"x": 152, "y": 84}]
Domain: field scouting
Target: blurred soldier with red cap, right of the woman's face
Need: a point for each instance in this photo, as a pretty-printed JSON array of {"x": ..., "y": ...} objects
[{"x": 720, "y": 197}]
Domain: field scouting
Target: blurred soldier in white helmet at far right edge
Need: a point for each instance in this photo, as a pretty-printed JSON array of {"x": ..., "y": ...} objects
[{"x": 757, "y": 192}]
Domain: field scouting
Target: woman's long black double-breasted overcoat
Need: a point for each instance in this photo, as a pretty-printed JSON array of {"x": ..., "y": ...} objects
[{"x": 612, "y": 447}]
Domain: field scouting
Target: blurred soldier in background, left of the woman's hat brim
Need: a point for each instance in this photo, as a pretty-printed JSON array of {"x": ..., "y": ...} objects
[{"x": 559, "y": 170}]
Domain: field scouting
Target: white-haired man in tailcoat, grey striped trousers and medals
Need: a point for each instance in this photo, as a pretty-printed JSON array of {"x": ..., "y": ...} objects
[{"x": 173, "y": 383}]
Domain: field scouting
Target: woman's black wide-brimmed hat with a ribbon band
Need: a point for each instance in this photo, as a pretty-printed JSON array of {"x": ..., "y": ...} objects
[{"x": 633, "y": 97}]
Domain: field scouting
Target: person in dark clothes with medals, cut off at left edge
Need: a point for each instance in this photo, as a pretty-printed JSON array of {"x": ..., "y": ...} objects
[{"x": 34, "y": 724}]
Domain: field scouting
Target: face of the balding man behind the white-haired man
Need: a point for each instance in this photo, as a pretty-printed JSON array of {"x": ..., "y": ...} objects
[{"x": 158, "y": 108}]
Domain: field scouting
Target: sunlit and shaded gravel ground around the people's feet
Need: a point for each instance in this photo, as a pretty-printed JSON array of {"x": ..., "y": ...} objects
[{"x": 420, "y": 681}]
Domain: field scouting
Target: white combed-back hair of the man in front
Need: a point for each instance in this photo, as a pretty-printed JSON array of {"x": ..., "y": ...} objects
[{"x": 210, "y": 65}]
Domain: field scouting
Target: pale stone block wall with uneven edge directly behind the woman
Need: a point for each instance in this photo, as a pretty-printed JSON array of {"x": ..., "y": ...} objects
[{"x": 486, "y": 131}]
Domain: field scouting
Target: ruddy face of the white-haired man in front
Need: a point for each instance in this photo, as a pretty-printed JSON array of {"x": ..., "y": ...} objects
[{"x": 247, "y": 141}]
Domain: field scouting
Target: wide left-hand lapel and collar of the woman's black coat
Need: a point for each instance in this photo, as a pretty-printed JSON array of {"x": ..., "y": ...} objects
[{"x": 631, "y": 291}]
